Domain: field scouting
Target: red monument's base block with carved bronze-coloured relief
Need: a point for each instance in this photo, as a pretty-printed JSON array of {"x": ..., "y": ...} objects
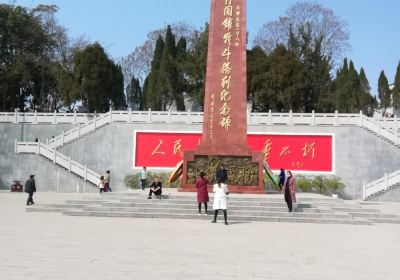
[{"x": 245, "y": 169}]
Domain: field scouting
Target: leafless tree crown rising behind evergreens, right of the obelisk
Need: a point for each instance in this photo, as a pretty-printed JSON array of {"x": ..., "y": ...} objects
[{"x": 321, "y": 22}]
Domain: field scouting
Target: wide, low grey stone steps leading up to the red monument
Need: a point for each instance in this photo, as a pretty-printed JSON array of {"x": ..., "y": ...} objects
[{"x": 269, "y": 208}]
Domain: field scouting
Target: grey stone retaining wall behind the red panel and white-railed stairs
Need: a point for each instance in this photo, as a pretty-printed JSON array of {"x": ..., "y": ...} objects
[{"x": 360, "y": 155}]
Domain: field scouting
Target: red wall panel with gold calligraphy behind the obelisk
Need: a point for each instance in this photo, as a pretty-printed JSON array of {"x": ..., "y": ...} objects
[{"x": 297, "y": 152}]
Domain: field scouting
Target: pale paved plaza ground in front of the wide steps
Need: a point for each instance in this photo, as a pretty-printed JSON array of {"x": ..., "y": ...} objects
[{"x": 44, "y": 246}]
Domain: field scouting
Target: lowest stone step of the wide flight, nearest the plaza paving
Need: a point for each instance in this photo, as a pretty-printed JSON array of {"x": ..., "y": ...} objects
[{"x": 230, "y": 217}]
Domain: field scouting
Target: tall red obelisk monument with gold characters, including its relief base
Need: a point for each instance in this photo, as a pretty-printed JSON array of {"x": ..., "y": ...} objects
[{"x": 224, "y": 138}]
